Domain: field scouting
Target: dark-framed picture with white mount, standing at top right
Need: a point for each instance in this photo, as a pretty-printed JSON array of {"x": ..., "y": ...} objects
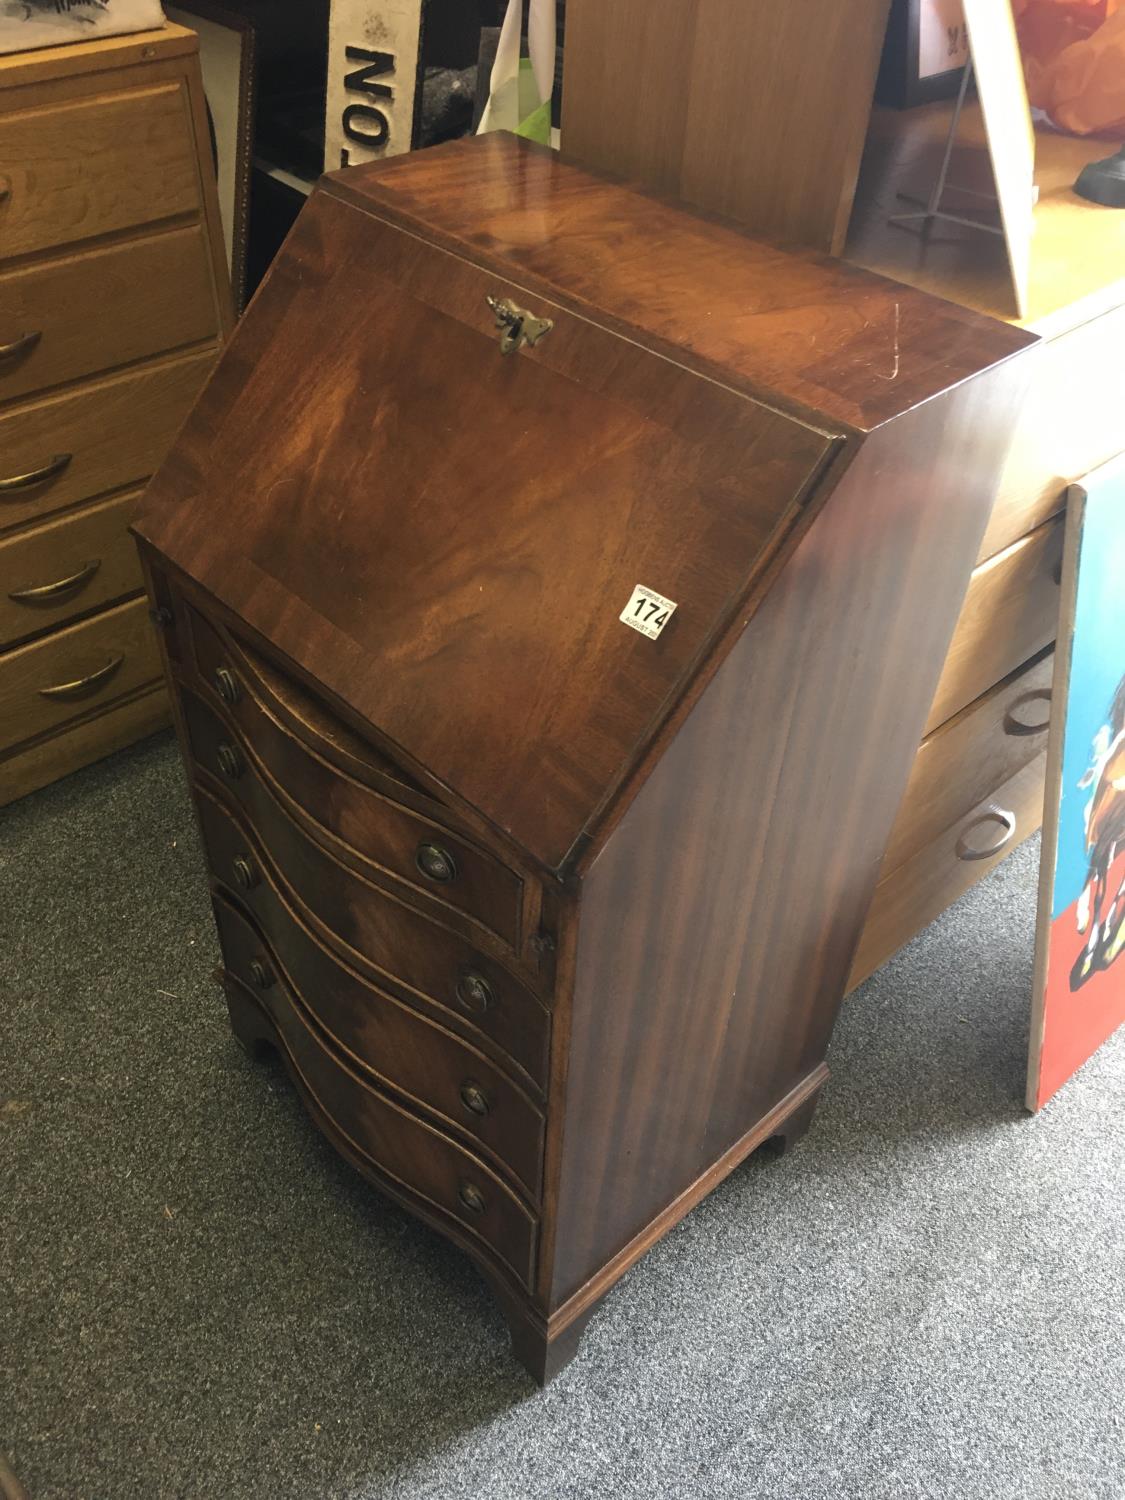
[{"x": 925, "y": 55}]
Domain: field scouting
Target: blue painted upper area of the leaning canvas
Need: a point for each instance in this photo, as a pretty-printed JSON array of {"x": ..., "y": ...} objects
[{"x": 1097, "y": 667}]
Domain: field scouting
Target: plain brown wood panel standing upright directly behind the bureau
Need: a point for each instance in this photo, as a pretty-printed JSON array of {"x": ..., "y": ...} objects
[{"x": 743, "y": 107}]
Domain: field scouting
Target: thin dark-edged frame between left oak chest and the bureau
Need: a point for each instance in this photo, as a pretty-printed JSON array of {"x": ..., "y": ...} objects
[{"x": 227, "y": 58}]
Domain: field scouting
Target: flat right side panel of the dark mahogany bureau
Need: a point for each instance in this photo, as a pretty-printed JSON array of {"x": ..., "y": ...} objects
[{"x": 721, "y": 920}]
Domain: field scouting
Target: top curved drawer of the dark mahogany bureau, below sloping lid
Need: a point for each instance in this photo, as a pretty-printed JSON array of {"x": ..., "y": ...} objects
[{"x": 376, "y": 830}]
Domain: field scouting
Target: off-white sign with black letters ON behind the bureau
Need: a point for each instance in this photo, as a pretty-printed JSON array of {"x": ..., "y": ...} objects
[{"x": 374, "y": 59}]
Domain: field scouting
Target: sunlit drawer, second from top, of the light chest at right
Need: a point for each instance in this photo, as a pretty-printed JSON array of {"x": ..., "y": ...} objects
[{"x": 1010, "y": 614}]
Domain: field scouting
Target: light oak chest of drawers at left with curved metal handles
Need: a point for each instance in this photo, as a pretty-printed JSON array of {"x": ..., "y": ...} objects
[{"x": 113, "y": 302}]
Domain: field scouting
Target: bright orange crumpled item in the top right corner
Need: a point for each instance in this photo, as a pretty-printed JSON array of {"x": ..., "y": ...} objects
[{"x": 1075, "y": 61}]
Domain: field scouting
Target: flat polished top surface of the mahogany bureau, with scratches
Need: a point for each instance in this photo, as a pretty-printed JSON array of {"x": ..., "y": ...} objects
[{"x": 802, "y": 331}]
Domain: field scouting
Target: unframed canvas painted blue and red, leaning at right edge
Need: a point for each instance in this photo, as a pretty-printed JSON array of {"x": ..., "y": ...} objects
[{"x": 1081, "y": 940}]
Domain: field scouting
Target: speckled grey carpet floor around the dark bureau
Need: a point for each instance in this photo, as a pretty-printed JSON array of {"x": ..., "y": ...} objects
[{"x": 200, "y": 1300}]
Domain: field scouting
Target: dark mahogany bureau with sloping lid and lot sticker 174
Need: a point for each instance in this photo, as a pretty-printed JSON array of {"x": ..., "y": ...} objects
[{"x": 550, "y": 916}]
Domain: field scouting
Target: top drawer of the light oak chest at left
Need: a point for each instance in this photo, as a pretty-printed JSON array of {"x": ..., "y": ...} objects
[{"x": 95, "y": 166}]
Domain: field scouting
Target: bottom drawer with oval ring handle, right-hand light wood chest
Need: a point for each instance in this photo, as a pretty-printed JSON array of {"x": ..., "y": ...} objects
[{"x": 919, "y": 892}]
